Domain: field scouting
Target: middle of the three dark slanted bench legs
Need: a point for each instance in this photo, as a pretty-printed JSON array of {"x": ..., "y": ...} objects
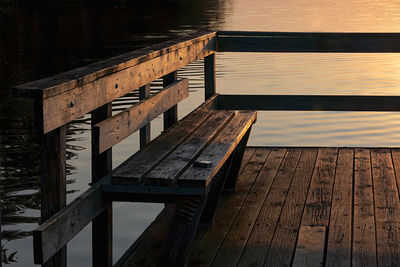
[{"x": 207, "y": 218}]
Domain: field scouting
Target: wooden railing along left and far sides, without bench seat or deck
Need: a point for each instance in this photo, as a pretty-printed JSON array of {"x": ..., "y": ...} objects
[{"x": 91, "y": 89}]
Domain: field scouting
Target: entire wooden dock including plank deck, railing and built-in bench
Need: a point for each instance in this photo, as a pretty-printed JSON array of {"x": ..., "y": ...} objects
[{"x": 291, "y": 206}]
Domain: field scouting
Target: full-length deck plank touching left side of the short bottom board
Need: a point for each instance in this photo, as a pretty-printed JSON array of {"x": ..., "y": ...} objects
[{"x": 283, "y": 244}]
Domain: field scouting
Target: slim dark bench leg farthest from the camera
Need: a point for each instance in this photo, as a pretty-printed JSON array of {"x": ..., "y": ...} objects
[{"x": 236, "y": 162}]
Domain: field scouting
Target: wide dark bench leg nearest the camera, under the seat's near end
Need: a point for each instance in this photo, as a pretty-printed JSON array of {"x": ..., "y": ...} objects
[{"x": 182, "y": 230}]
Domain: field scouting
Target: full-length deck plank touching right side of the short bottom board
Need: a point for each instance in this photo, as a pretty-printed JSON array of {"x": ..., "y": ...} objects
[{"x": 340, "y": 225}]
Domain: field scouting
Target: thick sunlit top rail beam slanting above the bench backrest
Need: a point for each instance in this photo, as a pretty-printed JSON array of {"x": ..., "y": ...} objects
[{"x": 70, "y": 95}]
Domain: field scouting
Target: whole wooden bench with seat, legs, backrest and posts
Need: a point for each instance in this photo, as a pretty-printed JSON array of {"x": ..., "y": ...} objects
[{"x": 189, "y": 164}]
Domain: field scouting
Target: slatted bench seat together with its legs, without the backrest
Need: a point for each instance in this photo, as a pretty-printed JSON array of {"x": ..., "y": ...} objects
[{"x": 189, "y": 164}]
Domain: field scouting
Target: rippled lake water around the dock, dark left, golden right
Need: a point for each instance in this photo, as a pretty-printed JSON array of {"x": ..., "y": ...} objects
[{"x": 38, "y": 41}]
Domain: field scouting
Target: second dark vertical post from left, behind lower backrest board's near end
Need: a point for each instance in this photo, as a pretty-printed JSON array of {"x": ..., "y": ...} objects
[{"x": 102, "y": 224}]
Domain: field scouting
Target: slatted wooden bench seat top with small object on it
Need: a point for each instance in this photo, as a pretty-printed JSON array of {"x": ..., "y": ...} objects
[{"x": 168, "y": 160}]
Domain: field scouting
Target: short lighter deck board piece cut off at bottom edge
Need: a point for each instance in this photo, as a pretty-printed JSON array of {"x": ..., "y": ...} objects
[{"x": 310, "y": 246}]
